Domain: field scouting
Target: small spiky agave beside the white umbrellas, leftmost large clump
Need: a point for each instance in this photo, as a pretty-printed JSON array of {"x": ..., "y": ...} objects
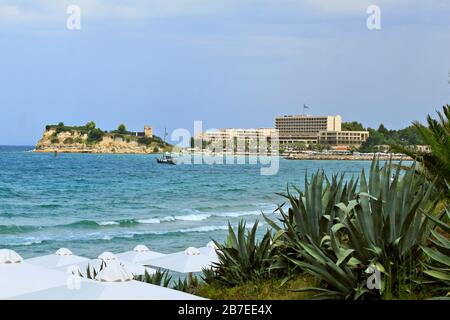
[{"x": 243, "y": 257}]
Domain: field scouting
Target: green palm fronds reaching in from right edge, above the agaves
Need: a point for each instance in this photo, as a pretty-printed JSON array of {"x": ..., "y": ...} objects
[{"x": 435, "y": 165}]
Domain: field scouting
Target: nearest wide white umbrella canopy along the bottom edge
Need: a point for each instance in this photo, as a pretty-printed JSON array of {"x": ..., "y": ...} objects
[{"x": 95, "y": 290}]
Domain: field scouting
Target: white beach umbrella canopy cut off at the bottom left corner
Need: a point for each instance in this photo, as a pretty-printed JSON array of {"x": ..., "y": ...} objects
[{"x": 22, "y": 278}]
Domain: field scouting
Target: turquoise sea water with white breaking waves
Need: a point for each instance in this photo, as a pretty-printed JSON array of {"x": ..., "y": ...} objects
[{"x": 92, "y": 203}]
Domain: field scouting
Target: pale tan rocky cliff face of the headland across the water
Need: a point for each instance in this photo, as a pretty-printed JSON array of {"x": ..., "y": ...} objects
[{"x": 74, "y": 141}]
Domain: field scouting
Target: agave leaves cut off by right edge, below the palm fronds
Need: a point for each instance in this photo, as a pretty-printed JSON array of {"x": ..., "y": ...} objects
[{"x": 438, "y": 267}]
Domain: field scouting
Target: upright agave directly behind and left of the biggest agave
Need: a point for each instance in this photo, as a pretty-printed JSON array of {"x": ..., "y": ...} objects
[{"x": 310, "y": 217}]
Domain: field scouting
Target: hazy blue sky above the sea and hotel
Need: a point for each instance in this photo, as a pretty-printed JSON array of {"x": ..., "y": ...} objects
[{"x": 228, "y": 63}]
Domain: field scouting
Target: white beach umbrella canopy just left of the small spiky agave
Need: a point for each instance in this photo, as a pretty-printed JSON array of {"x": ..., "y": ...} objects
[{"x": 187, "y": 261}]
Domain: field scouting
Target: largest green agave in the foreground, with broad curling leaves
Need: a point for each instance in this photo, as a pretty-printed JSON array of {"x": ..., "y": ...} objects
[{"x": 382, "y": 227}]
